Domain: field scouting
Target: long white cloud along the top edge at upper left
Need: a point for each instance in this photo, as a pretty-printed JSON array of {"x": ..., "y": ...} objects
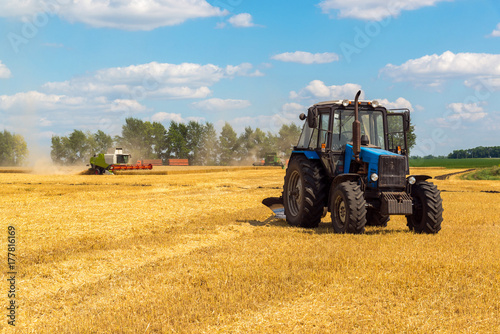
[{"x": 119, "y": 14}]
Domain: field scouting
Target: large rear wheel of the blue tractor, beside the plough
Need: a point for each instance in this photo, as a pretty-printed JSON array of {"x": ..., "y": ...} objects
[{"x": 304, "y": 192}]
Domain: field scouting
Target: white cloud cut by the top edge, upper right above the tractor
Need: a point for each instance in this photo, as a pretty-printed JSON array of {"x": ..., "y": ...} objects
[{"x": 373, "y": 10}]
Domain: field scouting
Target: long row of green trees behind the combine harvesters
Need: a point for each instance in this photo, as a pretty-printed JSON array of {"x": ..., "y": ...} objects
[{"x": 199, "y": 143}]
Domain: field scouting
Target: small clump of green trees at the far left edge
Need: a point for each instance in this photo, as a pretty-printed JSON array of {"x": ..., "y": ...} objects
[{"x": 13, "y": 149}]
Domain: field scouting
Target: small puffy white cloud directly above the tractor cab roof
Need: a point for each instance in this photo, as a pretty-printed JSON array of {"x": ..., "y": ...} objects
[{"x": 318, "y": 90}]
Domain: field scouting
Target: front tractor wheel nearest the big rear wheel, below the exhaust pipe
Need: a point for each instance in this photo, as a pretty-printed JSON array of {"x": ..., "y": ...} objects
[{"x": 348, "y": 208}]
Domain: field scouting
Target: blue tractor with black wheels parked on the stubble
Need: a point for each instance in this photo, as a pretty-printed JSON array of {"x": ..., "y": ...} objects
[{"x": 352, "y": 160}]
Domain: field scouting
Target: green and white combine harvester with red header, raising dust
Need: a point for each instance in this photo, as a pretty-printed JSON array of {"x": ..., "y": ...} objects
[{"x": 108, "y": 163}]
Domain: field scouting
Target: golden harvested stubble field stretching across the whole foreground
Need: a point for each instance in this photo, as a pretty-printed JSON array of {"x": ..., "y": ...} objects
[{"x": 199, "y": 253}]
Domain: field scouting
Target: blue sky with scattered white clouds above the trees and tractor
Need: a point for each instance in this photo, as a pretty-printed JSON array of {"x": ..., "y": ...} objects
[{"x": 90, "y": 64}]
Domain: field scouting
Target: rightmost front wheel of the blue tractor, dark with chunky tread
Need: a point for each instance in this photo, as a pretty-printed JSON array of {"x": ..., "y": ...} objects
[{"x": 427, "y": 208}]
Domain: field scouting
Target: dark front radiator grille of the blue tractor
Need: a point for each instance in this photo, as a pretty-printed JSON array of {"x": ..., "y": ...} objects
[{"x": 392, "y": 171}]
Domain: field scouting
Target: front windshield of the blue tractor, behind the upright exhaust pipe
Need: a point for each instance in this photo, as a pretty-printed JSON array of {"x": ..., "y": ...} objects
[{"x": 372, "y": 125}]
